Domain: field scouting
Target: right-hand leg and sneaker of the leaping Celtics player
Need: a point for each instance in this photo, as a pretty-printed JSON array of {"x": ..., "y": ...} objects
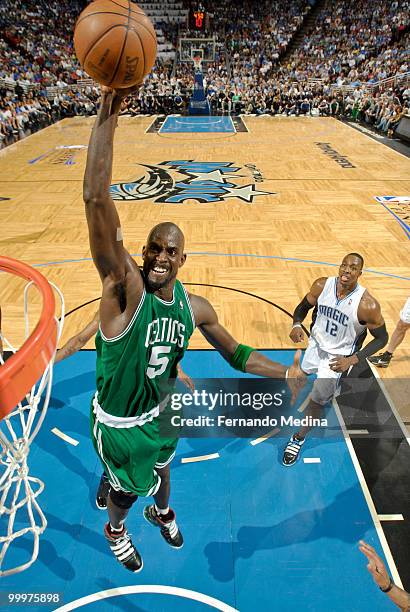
[{"x": 159, "y": 513}]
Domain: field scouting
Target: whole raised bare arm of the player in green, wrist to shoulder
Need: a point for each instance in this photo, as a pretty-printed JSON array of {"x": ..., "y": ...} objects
[{"x": 122, "y": 281}]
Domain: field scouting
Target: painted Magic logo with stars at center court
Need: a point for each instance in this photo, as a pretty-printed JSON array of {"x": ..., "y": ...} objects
[{"x": 174, "y": 182}]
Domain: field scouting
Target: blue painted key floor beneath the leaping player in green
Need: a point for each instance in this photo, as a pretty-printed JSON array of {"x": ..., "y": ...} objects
[{"x": 258, "y": 536}]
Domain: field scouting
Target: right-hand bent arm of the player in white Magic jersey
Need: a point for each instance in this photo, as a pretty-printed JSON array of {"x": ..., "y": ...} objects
[{"x": 368, "y": 313}]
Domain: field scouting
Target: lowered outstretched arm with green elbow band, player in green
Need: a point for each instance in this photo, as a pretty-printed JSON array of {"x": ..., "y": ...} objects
[{"x": 242, "y": 357}]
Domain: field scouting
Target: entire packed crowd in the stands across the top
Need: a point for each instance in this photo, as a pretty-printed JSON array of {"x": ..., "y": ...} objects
[{"x": 351, "y": 45}]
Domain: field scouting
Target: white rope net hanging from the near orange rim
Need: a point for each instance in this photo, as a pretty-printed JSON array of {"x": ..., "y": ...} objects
[{"x": 24, "y": 520}]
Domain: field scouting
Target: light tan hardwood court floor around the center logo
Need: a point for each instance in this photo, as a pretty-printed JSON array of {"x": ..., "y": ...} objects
[{"x": 321, "y": 174}]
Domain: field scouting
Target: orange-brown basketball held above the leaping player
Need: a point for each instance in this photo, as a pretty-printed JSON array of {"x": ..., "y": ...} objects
[{"x": 115, "y": 42}]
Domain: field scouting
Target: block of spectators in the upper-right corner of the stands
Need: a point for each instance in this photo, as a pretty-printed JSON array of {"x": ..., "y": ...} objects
[{"x": 346, "y": 38}]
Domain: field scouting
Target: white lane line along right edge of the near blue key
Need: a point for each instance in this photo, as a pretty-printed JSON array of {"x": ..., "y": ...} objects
[{"x": 368, "y": 498}]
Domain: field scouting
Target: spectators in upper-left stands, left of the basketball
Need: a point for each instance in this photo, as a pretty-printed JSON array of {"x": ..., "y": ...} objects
[{"x": 36, "y": 53}]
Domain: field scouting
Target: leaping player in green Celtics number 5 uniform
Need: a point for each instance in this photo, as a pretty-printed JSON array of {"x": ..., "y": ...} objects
[{"x": 146, "y": 319}]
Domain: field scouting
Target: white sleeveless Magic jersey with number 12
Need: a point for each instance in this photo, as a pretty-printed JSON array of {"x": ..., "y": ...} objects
[{"x": 337, "y": 328}]
